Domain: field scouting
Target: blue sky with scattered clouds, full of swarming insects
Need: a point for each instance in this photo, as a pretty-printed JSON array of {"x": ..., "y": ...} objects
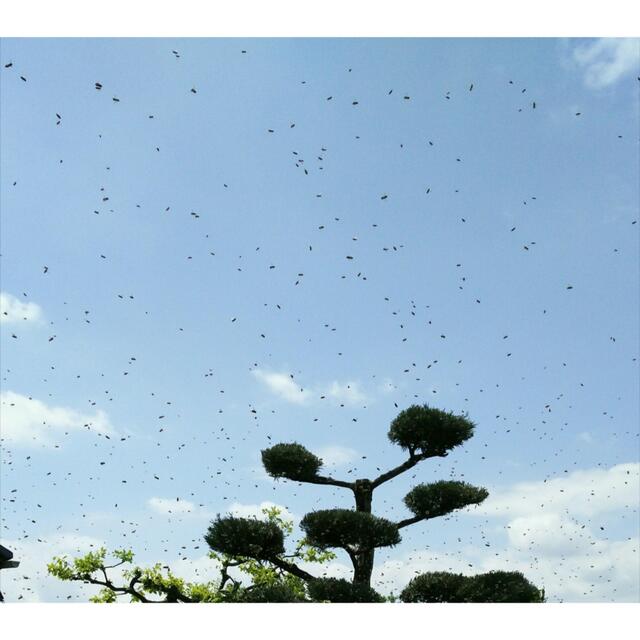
[{"x": 212, "y": 287}]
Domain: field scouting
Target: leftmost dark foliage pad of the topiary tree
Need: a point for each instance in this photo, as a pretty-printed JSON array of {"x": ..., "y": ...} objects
[{"x": 245, "y": 537}]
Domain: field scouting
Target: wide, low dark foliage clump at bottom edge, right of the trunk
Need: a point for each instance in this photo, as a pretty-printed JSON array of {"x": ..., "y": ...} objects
[{"x": 495, "y": 586}]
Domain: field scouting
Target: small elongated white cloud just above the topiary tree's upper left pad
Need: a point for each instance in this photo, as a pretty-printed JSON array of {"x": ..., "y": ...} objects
[{"x": 284, "y": 386}]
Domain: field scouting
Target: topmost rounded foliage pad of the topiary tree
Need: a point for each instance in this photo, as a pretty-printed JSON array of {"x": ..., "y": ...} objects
[{"x": 432, "y": 431}]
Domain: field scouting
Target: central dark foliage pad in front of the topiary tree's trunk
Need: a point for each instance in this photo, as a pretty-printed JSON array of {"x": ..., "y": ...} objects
[{"x": 347, "y": 529}]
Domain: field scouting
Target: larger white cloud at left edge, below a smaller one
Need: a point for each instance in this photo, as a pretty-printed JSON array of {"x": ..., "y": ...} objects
[{"x": 29, "y": 422}]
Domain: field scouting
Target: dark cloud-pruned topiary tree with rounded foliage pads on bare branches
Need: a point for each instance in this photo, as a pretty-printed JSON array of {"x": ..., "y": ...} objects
[{"x": 423, "y": 432}]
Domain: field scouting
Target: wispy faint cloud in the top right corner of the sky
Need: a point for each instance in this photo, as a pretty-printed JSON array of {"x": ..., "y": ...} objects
[{"x": 606, "y": 60}]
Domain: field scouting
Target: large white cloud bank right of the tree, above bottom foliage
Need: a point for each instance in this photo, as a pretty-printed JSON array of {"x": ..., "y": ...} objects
[{"x": 553, "y": 536}]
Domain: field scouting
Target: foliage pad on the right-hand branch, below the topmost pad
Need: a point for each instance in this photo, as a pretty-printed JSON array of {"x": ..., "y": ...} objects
[{"x": 442, "y": 497}]
